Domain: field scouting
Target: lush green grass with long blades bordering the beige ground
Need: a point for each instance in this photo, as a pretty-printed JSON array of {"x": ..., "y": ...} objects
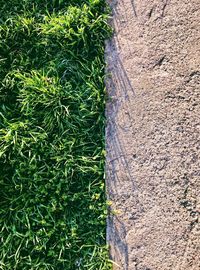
[{"x": 52, "y": 99}]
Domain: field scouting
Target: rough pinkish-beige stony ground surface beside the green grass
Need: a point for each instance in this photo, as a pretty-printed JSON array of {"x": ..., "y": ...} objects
[{"x": 153, "y": 134}]
